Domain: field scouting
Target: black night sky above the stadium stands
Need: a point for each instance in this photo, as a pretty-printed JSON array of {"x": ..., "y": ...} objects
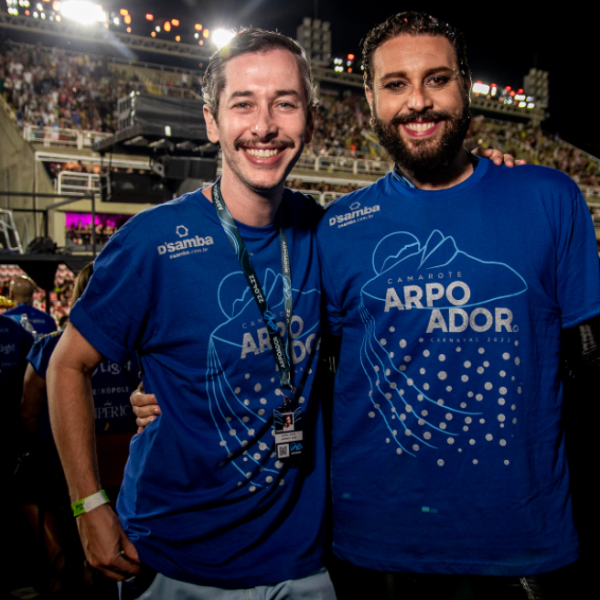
[{"x": 504, "y": 41}]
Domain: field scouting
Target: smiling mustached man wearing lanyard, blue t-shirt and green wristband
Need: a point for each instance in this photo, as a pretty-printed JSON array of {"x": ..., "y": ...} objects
[{"x": 219, "y": 293}]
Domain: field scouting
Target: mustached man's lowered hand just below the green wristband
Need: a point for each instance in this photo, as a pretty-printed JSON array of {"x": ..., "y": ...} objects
[{"x": 105, "y": 544}]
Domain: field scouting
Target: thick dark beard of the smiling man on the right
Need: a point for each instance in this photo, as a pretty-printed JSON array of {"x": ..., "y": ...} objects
[{"x": 423, "y": 158}]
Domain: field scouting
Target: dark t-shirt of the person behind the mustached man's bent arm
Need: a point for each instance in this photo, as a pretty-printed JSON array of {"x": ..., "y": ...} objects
[{"x": 112, "y": 385}]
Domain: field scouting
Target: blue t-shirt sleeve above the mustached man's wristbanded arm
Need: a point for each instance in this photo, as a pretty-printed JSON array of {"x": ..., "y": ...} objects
[{"x": 112, "y": 312}]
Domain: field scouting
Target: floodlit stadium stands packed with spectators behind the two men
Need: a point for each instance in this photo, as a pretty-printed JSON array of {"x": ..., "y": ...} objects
[{"x": 92, "y": 130}]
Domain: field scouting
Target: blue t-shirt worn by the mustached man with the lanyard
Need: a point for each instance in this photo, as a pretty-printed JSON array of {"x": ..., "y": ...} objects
[{"x": 205, "y": 499}]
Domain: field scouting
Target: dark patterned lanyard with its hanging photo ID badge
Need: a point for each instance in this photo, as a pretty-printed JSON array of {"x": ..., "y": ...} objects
[{"x": 287, "y": 420}]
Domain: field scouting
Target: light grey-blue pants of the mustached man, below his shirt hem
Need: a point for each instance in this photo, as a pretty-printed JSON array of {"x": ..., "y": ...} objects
[{"x": 316, "y": 586}]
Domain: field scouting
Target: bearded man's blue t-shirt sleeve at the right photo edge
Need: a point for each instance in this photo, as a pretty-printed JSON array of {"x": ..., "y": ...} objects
[{"x": 578, "y": 272}]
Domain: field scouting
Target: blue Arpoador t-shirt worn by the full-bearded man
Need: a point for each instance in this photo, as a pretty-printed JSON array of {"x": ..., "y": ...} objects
[{"x": 448, "y": 452}]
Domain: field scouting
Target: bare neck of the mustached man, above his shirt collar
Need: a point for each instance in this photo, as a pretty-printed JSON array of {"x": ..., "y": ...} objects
[{"x": 257, "y": 209}]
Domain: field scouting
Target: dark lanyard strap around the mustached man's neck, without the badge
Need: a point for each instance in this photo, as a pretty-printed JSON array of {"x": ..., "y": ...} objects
[{"x": 281, "y": 350}]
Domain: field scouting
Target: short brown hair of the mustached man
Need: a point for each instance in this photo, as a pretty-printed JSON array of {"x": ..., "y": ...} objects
[{"x": 248, "y": 41}]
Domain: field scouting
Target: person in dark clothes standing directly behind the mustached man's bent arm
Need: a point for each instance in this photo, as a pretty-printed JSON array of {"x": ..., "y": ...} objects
[{"x": 40, "y": 484}]
